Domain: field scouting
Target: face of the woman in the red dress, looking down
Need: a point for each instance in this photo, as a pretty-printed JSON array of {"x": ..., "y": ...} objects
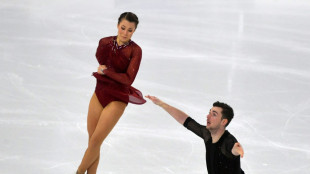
[{"x": 125, "y": 31}]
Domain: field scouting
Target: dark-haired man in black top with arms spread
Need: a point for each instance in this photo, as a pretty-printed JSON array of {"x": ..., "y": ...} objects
[{"x": 222, "y": 149}]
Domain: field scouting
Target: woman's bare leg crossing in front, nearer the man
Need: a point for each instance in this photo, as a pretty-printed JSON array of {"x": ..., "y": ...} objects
[{"x": 108, "y": 119}]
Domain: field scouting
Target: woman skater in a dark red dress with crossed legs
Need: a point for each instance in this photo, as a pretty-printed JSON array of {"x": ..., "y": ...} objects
[{"x": 119, "y": 60}]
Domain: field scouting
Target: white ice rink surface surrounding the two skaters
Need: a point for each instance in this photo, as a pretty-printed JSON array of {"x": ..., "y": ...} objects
[{"x": 252, "y": 54}]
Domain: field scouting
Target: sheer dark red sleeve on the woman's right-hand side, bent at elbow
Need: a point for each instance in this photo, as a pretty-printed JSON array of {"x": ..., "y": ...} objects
[{"x": 129, "y": 76}]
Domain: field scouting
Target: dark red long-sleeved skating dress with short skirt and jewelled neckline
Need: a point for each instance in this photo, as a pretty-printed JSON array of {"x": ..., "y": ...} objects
[{"x": 122, "y": 67}]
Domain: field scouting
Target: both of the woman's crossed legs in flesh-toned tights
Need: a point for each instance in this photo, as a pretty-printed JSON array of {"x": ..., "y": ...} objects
[{"x": 100, "y": 122}]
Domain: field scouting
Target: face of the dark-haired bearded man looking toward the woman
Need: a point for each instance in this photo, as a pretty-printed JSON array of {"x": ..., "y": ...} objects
[{"x": 214, "y": 119}]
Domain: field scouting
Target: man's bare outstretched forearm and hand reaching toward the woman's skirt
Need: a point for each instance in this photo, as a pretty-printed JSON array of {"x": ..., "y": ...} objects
[{"x": 177, "y": 114}]
